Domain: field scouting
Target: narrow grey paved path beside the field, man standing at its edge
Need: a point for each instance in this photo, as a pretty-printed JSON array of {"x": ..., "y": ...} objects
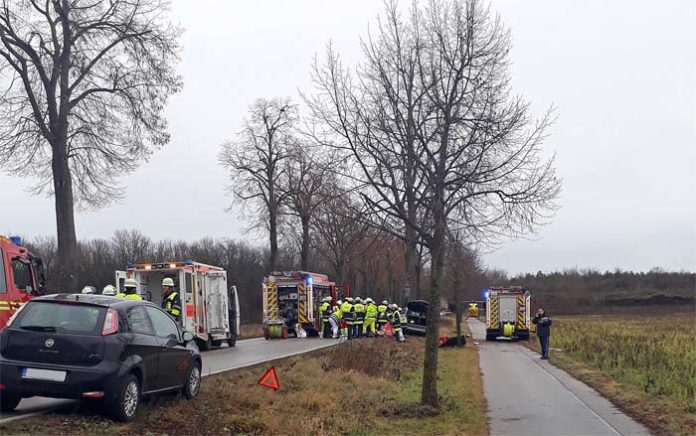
[{"x": 528, "y": 396}]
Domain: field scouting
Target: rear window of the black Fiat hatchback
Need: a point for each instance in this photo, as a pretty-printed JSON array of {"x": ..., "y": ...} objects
[{"x": 61, "y": 318}]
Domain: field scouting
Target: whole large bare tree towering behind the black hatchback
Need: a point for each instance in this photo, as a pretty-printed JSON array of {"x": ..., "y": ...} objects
[{"x": 85, "y": 84}]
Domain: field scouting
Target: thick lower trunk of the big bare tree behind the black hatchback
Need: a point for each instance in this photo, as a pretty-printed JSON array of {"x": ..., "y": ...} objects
[{"x": 65, "y": 220}]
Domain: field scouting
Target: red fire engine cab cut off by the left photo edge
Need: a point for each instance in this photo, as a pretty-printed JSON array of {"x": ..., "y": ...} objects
[{"x": 21, "y": 276}]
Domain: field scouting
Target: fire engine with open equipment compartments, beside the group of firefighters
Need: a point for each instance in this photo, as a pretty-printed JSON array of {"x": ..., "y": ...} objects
[{"x": 293, "y": 297}]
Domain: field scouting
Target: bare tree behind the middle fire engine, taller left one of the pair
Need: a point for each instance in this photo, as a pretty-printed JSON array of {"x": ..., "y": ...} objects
[{"x": 256, "y": 161}]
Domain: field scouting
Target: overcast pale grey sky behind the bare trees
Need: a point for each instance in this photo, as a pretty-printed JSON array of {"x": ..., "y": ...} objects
[{"x": 621, "y": 73}]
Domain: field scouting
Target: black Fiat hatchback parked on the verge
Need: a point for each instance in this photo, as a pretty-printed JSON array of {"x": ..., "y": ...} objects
[{"x": 107, "y": 349}]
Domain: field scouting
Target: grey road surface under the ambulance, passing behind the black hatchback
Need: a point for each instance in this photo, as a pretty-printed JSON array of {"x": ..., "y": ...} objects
[{"x": 248, "y": 352}]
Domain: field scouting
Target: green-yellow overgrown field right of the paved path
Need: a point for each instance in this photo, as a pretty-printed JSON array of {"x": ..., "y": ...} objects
[{"x": 646, "y": 364}]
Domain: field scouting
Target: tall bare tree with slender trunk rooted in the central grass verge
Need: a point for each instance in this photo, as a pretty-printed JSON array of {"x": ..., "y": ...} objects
[{"x": 476, "y": 156}]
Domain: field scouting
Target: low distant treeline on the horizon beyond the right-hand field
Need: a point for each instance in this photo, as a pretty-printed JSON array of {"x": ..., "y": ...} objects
[{"x": 574, "y": 291}]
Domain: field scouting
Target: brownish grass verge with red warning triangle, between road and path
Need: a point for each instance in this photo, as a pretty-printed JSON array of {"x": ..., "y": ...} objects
[{"x": 363, "y": 387}]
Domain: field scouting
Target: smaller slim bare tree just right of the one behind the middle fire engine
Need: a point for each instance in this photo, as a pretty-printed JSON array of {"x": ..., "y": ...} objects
[{"x": 308, "y": 170}]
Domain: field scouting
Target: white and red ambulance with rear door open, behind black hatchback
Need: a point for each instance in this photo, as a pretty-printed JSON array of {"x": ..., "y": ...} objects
[{"x": 209, "y": 309}]
